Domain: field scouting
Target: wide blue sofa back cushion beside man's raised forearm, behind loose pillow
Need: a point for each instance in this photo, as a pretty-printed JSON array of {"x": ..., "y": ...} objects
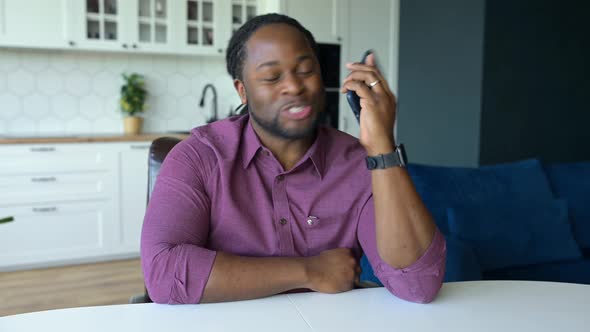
[{"x": 441, "y": 187}]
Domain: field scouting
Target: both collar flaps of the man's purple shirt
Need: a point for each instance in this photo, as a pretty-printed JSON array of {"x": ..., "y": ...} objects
[{"x": 316, "y": 152}]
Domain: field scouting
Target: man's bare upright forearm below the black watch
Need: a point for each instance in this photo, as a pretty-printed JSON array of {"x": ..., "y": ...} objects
[{"x": 404, "y": 226}]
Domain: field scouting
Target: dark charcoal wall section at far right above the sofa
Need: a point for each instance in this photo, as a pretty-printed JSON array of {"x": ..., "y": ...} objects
[{"x": 537, "y": 81}]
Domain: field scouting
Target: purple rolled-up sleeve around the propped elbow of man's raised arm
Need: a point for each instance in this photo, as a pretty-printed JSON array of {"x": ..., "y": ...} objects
[{"x": 419, "y": 282}]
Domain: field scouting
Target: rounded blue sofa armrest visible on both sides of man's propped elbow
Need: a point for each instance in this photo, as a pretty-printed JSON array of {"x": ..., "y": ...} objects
[{"x": 461, "y": 265}]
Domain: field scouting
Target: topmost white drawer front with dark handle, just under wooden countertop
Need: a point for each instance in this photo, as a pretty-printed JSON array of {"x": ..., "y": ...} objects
[{"x": 51, "y": 187}]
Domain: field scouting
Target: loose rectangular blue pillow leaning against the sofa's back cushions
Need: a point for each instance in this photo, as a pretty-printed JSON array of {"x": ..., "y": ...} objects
[{"x": 515, "y": 233}]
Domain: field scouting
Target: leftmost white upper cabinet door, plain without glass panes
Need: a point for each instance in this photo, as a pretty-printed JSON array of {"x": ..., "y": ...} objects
[{"x": 33, "y": 23}]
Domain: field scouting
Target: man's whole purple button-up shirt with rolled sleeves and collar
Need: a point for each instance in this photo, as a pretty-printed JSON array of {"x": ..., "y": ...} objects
[{"x": 221, "y": 190}]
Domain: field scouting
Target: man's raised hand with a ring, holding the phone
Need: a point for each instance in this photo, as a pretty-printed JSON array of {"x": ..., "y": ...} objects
[{"x": 378, "y": 106}]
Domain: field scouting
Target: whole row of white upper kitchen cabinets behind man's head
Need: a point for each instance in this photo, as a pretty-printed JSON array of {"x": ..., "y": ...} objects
[{"x": 195, "y": 27}]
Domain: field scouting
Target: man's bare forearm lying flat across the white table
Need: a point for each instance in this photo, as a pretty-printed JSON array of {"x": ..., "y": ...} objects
[{"x": 236, "y": 278}]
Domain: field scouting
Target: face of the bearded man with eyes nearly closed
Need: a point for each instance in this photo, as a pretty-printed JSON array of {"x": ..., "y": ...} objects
[{"x": 282, "y": 82}]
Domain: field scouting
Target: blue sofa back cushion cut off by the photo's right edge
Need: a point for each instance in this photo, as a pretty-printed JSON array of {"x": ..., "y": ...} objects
[{"x": 572, "y": 182}]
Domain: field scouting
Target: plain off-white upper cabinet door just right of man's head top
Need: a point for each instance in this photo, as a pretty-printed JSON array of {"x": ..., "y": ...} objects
[{"x": 321, "y": 18}]
